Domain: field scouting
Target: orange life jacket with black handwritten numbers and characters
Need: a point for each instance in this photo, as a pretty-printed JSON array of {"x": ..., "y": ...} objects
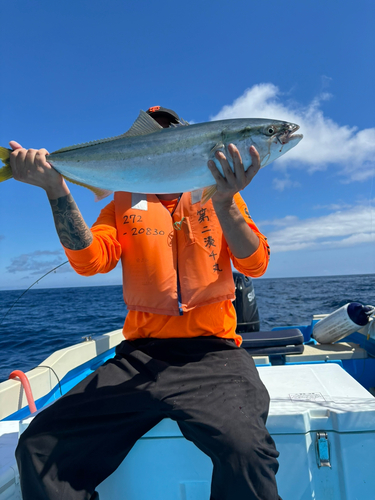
[{"x": 171, "y": 263}]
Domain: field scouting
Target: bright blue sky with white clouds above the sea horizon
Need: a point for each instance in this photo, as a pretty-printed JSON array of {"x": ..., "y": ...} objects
[{"x": 79, "y": 71}]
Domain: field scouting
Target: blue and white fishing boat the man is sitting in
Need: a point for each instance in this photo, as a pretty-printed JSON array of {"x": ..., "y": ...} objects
[{"x": 322, "y": 416}]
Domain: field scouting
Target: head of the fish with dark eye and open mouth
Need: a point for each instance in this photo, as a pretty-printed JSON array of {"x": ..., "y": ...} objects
[{"x": 271, "y": 138}]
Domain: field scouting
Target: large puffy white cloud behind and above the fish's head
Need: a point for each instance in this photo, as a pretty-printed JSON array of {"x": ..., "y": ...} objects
[{"x": 325, "y": 142}]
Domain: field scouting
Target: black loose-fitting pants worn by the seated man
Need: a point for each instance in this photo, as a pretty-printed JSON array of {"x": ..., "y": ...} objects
[{"x": 208, "y": 385}]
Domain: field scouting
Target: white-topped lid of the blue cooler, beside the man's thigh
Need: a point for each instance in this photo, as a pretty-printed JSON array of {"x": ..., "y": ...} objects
[{"x": 315, "y": 397}]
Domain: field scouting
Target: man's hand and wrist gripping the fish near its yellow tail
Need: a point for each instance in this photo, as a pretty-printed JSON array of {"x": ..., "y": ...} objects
[{"x": 30, "y": 166}]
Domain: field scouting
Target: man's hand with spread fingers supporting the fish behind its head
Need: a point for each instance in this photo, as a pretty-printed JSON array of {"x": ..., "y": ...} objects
[{"x": 232, "y": 181}]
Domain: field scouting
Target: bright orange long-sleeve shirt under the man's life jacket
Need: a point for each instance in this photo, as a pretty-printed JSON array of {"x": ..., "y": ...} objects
[{"x": 217, "y": 319}]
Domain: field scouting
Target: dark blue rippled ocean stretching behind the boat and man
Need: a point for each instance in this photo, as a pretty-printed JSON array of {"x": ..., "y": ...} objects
[{"x": 45, "y": 320}]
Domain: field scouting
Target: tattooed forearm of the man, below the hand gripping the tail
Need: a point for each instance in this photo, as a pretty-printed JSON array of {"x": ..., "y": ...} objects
[{"x": 70, "y": 226}]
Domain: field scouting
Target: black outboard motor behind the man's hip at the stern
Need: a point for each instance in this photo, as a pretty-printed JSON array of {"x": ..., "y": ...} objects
[{"x": 245, "y": 304}]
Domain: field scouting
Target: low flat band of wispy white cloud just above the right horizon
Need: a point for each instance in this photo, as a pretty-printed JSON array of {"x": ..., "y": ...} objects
[{"x": 342, "y": 228}]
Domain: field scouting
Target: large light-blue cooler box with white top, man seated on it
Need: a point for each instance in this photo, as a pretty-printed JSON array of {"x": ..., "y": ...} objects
[{"x": 323, "y": 423}]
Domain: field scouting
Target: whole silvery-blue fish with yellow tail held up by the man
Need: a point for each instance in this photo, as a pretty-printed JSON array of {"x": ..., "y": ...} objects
[{"x": 151, "y": 159}]
